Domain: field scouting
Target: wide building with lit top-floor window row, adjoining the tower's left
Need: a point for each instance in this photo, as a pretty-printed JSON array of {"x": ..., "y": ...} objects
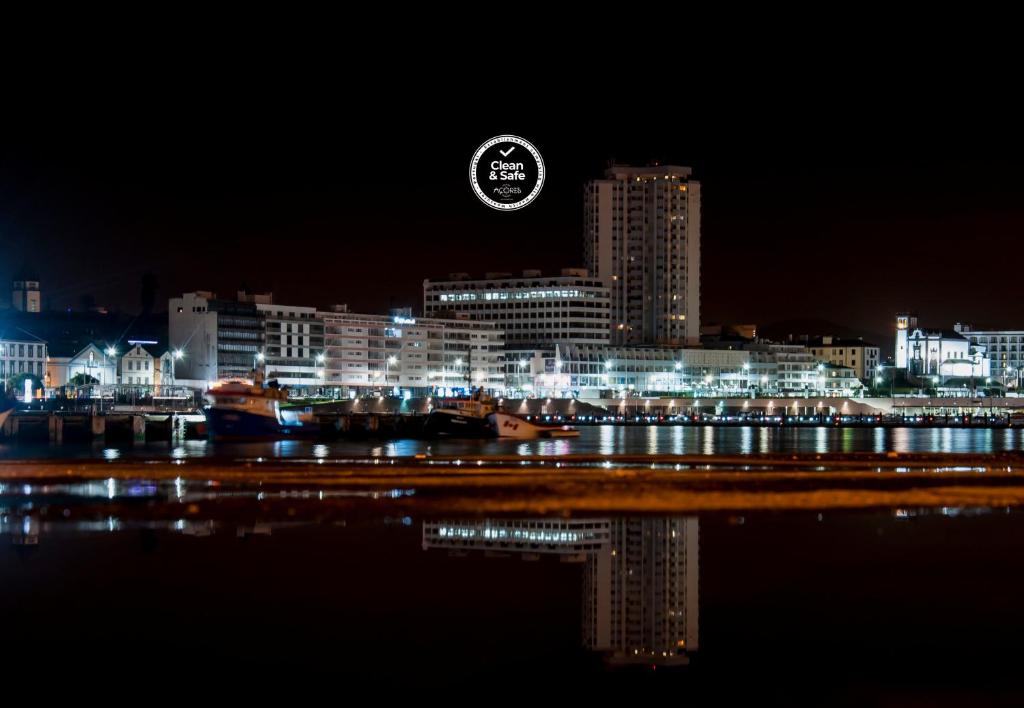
[{"x": 533, "y": 311}]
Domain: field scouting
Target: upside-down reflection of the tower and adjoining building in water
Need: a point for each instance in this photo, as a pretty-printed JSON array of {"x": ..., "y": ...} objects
[{"x": 641, "y": 597}]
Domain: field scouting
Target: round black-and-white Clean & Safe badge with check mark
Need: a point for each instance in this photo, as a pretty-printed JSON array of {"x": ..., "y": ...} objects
[{"x": 507, "y": 173}]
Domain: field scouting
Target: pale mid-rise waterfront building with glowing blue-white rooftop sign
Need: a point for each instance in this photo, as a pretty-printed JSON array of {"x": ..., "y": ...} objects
[{"x": 366, "y": 354}]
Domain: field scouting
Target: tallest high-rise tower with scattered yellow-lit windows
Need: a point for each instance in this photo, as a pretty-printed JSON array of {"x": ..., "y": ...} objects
[{"x": 643, "y": 239}]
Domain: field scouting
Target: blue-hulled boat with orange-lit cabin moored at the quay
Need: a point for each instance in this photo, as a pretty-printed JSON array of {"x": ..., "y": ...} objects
[{"x": 244, "y": 411}]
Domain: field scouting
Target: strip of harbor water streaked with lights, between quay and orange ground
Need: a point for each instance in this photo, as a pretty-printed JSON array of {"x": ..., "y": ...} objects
[{"x": 593, "y": 440}]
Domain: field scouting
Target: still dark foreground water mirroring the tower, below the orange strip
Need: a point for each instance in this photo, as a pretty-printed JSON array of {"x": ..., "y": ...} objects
[{"x": 886, "y": 607}]
